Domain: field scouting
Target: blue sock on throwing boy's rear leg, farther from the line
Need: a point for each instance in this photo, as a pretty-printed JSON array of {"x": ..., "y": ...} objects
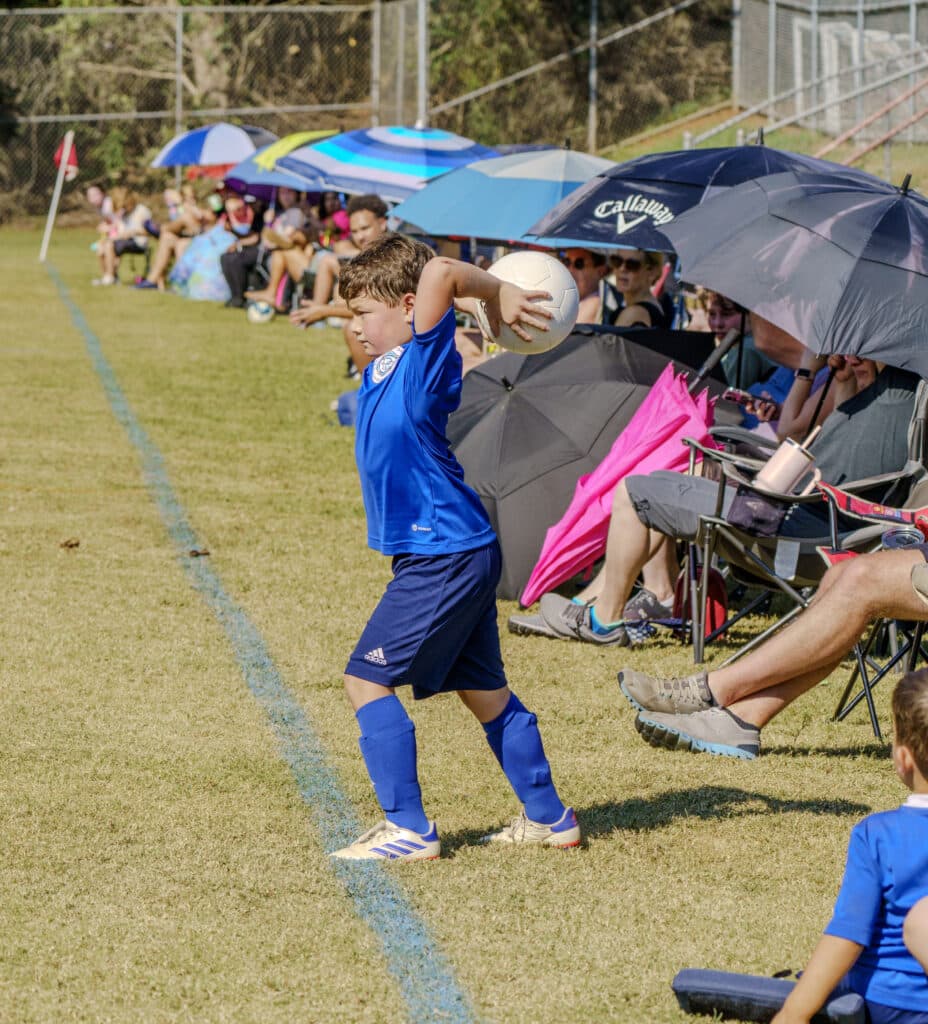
[{"x": 515, "y": 739}]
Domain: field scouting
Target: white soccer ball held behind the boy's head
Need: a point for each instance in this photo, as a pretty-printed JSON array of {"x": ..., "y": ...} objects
[{"x": 541, "y": 273}]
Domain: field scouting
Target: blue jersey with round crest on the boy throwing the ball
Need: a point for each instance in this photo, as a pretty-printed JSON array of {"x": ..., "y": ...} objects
[{"x": 413, "y": 487}]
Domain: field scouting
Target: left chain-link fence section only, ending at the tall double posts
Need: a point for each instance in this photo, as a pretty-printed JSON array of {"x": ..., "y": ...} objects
[{"x": 129, "y": 79}]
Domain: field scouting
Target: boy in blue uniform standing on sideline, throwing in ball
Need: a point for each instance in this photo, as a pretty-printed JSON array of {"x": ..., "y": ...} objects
[{"x": 436, "y": 627}]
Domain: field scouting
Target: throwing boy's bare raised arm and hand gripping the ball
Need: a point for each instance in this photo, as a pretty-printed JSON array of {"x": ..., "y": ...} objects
[{"x": 444, "y": 280}]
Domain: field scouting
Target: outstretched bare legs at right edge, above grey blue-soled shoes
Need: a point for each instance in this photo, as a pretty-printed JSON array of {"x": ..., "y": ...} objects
[{"x": 854, "y": 594}]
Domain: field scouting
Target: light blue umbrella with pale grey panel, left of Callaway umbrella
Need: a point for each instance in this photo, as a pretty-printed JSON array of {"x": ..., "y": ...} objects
[{"x": 499, "y": 199}]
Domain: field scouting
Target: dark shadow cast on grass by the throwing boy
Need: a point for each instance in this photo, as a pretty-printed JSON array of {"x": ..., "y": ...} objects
[{"x": 707, "y": 803}]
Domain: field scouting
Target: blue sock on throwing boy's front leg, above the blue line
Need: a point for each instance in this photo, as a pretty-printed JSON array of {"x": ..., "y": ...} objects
[{"x": 389, "y": 746}]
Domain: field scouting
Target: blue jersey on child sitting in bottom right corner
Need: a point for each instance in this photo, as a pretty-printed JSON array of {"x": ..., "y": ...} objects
[{"x": 887, "y": 875}]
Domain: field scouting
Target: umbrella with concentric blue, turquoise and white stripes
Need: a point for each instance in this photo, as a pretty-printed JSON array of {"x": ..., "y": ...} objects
[{"x": 394, "y": 162}]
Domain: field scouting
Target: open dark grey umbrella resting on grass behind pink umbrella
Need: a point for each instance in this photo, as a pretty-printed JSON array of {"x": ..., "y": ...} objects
[{"x": 530, "y": 426}]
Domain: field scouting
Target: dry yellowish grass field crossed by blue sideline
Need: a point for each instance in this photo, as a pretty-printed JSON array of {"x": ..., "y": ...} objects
[{"x": 178, "y": 757}]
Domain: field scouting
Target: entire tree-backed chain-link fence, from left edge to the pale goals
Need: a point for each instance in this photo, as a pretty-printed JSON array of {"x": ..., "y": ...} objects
[{"x": 128, "y": 79}]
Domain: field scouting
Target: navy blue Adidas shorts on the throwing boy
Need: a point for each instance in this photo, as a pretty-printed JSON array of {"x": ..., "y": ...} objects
[{"x": 436, "y": 627}]
